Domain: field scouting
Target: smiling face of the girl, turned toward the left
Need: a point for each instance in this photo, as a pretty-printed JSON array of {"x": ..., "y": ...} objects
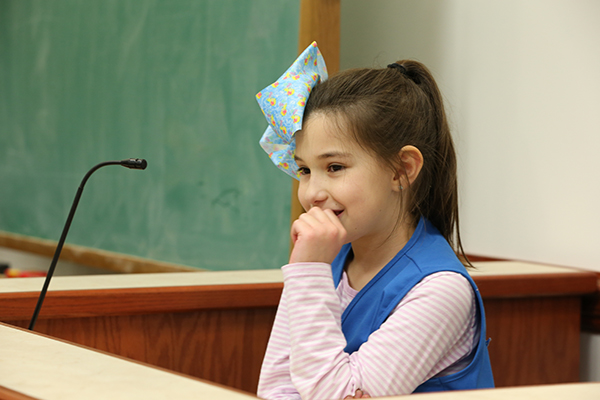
[{"x": 337, "y": 174}]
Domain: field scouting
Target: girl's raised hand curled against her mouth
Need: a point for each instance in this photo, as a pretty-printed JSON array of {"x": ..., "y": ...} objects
[{"x": 317, "y": 235}]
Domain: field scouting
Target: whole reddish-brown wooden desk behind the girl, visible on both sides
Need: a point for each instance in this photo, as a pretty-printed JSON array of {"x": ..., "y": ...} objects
[{"x": 215, "y": 325}]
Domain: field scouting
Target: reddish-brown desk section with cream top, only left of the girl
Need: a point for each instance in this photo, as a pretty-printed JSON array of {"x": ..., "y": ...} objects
[{"x": 211, "y": 325}]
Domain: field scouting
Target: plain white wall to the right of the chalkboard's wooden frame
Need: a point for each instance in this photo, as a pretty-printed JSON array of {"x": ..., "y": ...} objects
[{"x": 521, "y": 80}]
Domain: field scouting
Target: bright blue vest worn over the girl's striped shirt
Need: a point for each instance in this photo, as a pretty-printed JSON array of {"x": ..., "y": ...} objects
[{"x": 427, "y": 252}]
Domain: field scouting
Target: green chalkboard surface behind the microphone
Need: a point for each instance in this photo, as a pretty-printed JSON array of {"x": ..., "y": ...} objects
[{"x": 171, "y": 81}]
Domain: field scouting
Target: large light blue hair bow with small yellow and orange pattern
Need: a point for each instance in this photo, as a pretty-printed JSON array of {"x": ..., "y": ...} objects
[{"x": 283, "y": 104}]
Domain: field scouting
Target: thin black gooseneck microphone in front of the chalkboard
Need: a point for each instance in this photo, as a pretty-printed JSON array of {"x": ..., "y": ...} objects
[{"x": 132, "y": 163}]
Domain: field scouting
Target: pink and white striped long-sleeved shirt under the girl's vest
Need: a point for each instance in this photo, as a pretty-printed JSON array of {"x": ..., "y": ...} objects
[{"x": 430, "y": 333}]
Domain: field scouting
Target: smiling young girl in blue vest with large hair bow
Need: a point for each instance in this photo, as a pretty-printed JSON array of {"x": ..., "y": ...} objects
[{"x": 375, "y": 300}]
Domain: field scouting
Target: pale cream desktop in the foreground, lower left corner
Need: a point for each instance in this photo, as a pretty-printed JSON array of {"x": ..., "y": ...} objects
[{"x": 38, "y": 367}]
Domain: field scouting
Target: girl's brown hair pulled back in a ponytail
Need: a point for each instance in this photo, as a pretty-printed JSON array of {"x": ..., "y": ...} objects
[{"x": 387, "y": 109}]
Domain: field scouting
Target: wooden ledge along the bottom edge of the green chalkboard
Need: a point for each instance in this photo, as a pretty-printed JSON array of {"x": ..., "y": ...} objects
[{"x": 88, "y": 256}]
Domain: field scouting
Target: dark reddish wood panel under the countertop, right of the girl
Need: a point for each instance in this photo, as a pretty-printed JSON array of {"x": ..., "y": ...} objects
[{"x": 534, "y": 340}]
